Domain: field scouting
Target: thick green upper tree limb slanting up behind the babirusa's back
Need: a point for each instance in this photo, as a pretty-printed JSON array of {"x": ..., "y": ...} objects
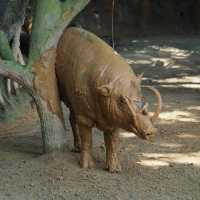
[{"x": 55, "y": 15}]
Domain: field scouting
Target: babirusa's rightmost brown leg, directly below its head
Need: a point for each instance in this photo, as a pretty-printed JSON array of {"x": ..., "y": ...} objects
[{"x": 111, "y": 143}]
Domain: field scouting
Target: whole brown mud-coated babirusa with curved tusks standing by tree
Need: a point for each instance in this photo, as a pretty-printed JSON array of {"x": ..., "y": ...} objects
[{"x": 102, "y": 91}]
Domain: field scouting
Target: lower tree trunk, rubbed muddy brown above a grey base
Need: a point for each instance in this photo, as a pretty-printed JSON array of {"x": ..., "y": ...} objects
[{"x": 45, "y": 83}]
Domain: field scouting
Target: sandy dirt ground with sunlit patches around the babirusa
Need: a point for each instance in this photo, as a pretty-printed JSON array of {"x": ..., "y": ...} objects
[{"x": 165, "y": 168}]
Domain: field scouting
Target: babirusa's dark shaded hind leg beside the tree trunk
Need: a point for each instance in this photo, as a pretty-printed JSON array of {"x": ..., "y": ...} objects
[{"x": 76, "y": 136}]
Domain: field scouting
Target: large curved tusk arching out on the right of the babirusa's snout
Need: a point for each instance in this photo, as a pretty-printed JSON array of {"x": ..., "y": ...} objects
[{"x": 159, "y": 99}]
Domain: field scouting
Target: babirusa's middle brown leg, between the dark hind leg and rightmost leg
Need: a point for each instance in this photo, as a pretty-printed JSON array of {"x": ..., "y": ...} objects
[{"x": 86, "y": 160}]
